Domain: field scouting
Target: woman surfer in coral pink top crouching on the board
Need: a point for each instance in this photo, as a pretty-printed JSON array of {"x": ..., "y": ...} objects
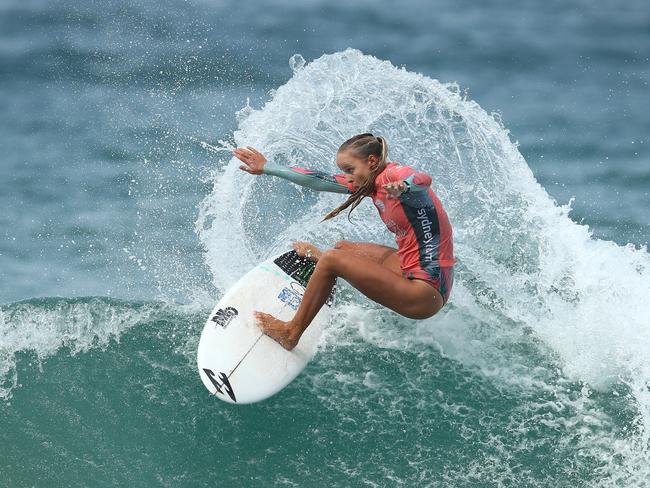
[{"x": 414, "y": 280}]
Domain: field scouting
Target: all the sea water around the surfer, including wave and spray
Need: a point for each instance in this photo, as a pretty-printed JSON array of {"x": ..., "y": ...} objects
[{"x": 123, "y": 219}]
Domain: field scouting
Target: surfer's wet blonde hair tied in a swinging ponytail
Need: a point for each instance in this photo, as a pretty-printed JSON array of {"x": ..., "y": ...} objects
[{"x": 362, "y": 145}]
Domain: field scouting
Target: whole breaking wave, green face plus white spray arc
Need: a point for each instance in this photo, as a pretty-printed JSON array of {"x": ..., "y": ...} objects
[{"x": 535, "y": 374}]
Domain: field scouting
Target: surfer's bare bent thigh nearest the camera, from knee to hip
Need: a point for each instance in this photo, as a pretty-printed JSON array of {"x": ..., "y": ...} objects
[{"x": 411, "y": 298}]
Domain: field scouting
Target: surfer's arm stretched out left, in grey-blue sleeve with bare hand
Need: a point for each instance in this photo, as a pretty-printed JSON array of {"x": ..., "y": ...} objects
[{"x": 255, "y": 163}]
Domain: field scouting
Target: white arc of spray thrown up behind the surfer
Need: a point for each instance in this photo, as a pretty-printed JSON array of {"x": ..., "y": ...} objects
[{"x": 522, "y": 261}]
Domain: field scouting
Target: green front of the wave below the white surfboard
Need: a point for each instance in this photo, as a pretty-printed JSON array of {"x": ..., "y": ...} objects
[{"x": 130, "y": 412}]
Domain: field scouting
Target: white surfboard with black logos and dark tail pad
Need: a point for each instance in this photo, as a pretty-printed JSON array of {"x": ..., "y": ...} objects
[{"x": 236, "y": 361}]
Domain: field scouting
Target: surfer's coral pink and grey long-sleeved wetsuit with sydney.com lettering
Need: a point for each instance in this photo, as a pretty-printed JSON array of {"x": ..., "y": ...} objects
[{"x": 417, "y": 218}]
